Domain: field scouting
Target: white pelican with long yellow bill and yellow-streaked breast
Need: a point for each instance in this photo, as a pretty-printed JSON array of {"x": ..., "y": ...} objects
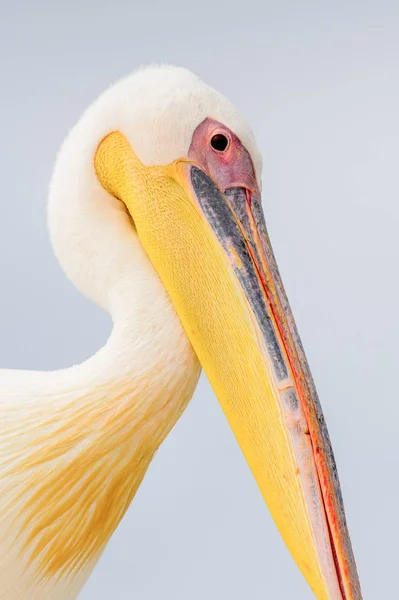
[{"x": 155, "y": 214}]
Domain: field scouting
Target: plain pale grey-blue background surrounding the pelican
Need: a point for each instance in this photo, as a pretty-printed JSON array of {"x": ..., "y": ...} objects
[{"x": 319, "y": 84}]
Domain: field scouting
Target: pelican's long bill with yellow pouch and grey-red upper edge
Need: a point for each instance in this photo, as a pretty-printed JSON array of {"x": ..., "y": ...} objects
[{"x": 212, "y": 252}]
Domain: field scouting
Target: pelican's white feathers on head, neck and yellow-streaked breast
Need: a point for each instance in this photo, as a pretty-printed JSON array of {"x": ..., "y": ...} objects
[{"x": 147, "y": 370}]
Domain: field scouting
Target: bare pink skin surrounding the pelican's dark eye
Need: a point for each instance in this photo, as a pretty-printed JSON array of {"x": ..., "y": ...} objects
[{"x": 228, "y": 168}]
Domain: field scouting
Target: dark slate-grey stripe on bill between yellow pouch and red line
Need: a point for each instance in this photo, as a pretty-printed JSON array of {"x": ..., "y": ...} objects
[{"x": 223, "y": 223}]
